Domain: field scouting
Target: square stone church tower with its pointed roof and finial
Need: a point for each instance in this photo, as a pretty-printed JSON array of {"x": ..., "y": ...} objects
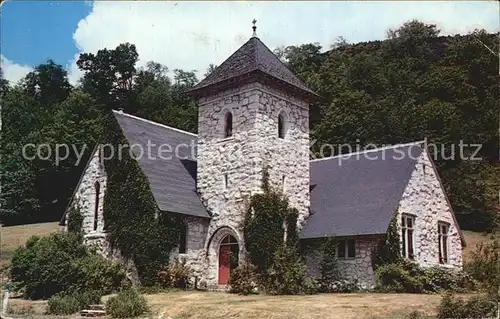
[{"x": 253, "y": 113}]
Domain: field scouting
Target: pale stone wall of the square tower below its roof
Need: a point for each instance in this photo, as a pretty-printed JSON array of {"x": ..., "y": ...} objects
[{"x": 239, "y": 159}]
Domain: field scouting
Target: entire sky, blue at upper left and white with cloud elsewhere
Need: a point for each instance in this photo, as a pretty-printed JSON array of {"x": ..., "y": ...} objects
[{"x": 191, "y": 35}]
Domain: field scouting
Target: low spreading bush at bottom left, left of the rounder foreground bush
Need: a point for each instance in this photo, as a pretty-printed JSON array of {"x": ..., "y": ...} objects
[{"x": 61, "y": 304}]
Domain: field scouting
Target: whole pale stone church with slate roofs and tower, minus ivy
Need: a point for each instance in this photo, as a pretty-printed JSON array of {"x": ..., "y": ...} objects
[{"x": 254, "y": 112}]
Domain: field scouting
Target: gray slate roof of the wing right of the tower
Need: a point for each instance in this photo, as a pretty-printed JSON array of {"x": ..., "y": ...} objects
[{"x": 356, "y": 195}]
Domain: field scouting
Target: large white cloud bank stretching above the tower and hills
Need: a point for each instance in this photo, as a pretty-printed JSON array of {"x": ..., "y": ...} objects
[{"x": 191, "y": 35}]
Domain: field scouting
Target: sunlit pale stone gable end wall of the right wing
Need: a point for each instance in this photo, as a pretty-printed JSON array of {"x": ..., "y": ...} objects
[{"x": 425, "y": 199}]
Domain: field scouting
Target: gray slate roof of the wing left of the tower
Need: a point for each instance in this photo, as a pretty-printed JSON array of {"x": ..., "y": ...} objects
[{"x": 172, "y": 181}]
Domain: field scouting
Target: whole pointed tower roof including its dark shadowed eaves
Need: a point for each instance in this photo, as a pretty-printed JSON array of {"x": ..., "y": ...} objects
[{"x": 253, "y": 58}]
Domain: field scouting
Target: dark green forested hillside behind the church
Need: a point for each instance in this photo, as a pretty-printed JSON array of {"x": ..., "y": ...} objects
[{"x": 412, "y": 86}]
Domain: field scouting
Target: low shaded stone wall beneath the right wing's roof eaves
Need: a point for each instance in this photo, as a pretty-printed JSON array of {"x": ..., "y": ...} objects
[{"x": 358, "y": 268}]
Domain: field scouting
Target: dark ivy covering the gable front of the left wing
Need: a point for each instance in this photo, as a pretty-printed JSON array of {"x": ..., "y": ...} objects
[{"x": 133, "y": 221}]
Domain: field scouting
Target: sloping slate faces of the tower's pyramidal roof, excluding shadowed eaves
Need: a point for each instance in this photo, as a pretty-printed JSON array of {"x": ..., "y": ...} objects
[{"x": 250, "y": 57}]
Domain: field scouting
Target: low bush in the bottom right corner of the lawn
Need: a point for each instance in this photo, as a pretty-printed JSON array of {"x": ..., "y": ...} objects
[{"x": 481, "y": 306}]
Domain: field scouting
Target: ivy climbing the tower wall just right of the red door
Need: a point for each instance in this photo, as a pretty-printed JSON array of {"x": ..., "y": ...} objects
[{"x": 271, "y": 240}]
